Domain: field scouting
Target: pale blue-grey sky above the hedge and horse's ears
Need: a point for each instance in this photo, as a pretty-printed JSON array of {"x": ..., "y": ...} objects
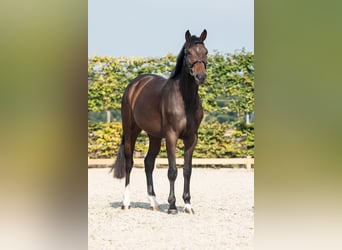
[{"x": 153, "y": 28}]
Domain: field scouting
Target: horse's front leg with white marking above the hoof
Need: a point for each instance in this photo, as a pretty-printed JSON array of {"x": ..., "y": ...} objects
[{"x": 189, "y": 146}]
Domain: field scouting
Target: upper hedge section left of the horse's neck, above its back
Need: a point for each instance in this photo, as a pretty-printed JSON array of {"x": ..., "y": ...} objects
[{"x": 108, "y": 77}]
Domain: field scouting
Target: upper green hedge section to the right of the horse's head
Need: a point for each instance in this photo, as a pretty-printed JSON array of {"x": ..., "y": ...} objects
[{"x": 230, "y": 81}]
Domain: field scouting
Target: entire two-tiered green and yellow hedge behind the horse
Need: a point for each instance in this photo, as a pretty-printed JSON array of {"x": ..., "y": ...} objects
[{"x": 227, "y": 96}]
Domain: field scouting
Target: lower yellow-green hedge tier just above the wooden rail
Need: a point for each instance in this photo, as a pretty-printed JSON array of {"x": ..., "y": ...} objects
[{"x": 214, "y": 141}]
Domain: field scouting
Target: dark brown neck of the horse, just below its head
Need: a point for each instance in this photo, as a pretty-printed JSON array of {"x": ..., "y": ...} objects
[{"x": 189, "y": 91}]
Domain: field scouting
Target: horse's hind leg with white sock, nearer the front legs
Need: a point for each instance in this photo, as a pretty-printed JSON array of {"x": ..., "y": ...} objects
[{"x": 154, "y": 148}]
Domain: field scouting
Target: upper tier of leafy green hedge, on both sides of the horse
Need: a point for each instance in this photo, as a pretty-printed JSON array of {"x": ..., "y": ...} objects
[{"x": 229, "y": 77}]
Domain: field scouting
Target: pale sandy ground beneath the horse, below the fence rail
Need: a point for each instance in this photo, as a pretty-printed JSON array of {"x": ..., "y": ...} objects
[{"x": 223, "y": 200}]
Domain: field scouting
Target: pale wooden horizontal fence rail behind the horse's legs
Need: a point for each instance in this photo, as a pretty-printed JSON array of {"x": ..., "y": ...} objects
[{"x": 248, "y": 161}]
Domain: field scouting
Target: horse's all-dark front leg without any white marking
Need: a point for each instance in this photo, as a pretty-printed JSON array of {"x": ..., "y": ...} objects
[{"x": 171, "y": 141}]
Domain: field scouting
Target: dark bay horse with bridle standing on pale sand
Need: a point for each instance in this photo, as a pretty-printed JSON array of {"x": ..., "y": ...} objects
[{"x": 164, "y": 108}]
